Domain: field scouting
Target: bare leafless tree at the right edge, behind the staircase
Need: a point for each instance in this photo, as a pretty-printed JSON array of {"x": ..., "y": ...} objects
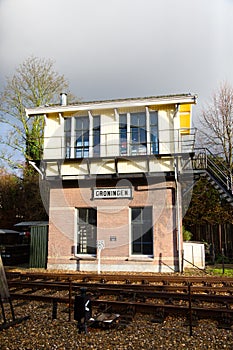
[{"x": 217, "y": 123}]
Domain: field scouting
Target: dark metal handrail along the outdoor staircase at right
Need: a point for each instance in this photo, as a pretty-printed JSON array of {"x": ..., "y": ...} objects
[{"x": 204, "y": 159}]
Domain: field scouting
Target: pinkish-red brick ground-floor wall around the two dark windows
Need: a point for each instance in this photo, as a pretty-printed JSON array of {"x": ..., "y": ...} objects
[{"x": 113, "y": 222}]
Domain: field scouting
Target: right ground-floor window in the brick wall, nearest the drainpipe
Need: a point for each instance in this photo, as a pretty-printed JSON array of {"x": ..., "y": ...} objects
[{"x": 142, "y": 231}]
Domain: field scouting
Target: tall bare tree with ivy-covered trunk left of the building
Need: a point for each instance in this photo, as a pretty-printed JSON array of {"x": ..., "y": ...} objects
[{"x": 34, "y": 84}]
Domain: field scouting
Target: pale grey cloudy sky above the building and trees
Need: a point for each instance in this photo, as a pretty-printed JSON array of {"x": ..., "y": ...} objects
[{"x": 123, "y": 48}]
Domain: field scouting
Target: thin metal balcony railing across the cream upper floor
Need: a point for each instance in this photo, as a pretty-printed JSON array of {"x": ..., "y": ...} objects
[{"x": 166, "y": 142}]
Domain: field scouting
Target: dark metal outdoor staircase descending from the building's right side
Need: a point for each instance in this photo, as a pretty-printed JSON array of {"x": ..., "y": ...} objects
[{"x": 204, "y": 163}]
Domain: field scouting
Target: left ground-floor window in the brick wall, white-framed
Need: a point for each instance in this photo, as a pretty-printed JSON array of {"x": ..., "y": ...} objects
[{"x": 86, "y": 230}]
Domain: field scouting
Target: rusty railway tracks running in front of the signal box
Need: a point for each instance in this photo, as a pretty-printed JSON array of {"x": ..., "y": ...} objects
[{"x": 195, "y": 297}]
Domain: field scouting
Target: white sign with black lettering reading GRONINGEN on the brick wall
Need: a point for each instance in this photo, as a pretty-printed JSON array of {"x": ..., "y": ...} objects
[{"x": 107, "y": 193}]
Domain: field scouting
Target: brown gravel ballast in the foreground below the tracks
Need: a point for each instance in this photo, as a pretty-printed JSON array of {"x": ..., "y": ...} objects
[{"x": 41, "y": 332}]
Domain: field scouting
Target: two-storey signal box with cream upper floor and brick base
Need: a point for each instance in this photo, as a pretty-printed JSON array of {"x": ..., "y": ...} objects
[{"x": 113, "y": 168}]
